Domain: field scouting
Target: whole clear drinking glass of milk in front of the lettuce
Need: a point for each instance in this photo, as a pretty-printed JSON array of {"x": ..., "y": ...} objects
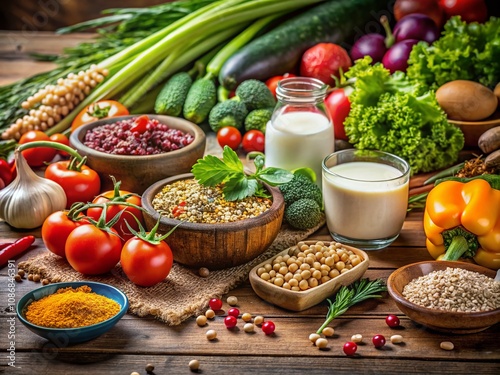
[{"x": 366, "y": 197}]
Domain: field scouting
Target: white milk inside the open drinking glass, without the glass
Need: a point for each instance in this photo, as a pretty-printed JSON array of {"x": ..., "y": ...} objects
[{"x": 358, "y": 206}]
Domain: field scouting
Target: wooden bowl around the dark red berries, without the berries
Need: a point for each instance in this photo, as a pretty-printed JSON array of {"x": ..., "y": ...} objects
[{"x": 137, "y": 173}]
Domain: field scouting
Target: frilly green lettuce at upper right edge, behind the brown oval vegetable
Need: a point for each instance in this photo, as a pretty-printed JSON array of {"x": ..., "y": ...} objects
[{"x": 464, "y": 51}]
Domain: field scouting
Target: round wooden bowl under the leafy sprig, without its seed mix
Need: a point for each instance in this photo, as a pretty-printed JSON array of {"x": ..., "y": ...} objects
[{"x": 216, "y": 246}]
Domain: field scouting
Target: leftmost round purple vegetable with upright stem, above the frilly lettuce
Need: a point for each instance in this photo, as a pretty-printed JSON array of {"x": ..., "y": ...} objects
[{"x": 373, "y": 45}]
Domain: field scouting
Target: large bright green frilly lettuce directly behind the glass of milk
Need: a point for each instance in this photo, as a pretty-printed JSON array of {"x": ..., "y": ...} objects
[{"x": 392, "y": 114}]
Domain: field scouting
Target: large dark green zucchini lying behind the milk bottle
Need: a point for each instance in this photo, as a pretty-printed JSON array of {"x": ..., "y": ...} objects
[{"x": 279, "y": 51}]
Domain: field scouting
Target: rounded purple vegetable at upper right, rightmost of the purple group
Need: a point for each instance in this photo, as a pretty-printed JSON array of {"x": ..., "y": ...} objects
[{"x": 416, "y": 26}]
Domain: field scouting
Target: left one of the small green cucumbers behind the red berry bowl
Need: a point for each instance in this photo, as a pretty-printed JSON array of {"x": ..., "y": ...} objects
[{"x": 172, "y": 96}]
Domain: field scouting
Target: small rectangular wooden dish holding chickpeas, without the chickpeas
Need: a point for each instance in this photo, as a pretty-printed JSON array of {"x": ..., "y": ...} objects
[{"x": 302, "y": 300}]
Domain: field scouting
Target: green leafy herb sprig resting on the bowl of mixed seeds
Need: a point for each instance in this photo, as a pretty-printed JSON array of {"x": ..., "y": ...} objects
[{"x": 236, "y": 184}]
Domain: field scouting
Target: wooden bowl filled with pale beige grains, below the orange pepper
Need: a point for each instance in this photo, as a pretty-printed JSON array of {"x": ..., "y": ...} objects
[{"x": 441, "y": 317}]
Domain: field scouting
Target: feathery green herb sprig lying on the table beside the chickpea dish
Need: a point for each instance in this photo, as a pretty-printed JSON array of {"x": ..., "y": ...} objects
[{"x": 350, "y": 295}]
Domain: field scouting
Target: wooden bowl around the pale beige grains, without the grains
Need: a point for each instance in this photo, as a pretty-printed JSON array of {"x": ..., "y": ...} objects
[{"x": 439, "y": 320}]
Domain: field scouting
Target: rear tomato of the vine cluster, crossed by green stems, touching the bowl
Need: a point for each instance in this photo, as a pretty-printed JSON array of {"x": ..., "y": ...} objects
[{"x": 127, "y": 215}]
